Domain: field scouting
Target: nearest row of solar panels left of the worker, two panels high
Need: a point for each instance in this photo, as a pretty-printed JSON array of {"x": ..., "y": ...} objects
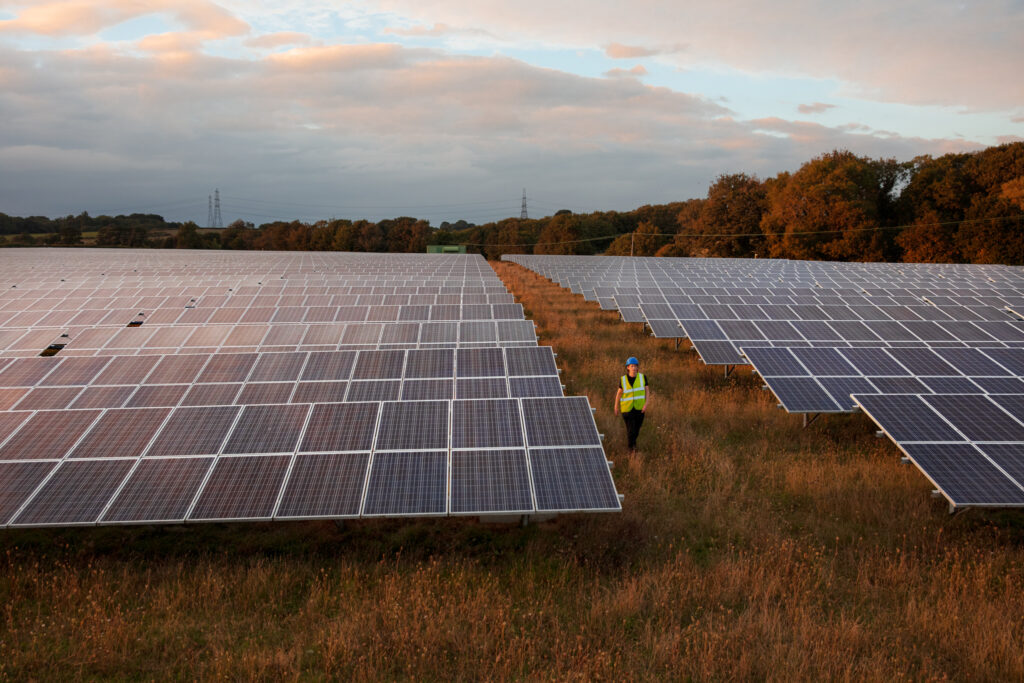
[{"x": 291, "y": 462}]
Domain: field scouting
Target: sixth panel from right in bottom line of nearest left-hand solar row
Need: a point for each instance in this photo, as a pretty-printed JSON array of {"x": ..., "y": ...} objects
[{"x": 159, "y": 490}]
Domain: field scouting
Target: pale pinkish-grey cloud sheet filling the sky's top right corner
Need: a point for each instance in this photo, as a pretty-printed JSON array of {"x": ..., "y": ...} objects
[{"x": 918, "y": 52}]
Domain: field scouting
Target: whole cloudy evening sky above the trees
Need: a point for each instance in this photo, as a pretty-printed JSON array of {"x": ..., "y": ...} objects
[{"x": 451, "y": 110}]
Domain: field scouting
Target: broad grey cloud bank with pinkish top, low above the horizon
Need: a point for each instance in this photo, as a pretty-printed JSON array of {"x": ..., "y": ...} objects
[{"x": 371, "y": 124}]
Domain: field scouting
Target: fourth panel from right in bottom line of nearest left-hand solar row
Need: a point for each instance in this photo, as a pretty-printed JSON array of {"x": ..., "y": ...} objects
[{"x": 325, "y": 486}]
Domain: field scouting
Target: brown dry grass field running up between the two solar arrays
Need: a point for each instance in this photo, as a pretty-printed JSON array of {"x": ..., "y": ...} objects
[{"x": 749, "y": 547}]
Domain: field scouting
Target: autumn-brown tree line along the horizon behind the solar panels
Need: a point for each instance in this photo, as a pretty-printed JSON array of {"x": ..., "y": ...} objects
[{"x": 956, "y": 208}]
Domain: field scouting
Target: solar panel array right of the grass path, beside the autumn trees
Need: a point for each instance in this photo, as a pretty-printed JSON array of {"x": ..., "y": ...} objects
[{"x": 933, "y": 354}]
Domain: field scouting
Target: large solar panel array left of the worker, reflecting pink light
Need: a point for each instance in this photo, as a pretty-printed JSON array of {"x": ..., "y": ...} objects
[{"x": 310, "y": 386}]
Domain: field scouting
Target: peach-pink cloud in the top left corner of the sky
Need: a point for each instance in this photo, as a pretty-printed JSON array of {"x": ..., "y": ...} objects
[{"x": 82, "y": 18}]
